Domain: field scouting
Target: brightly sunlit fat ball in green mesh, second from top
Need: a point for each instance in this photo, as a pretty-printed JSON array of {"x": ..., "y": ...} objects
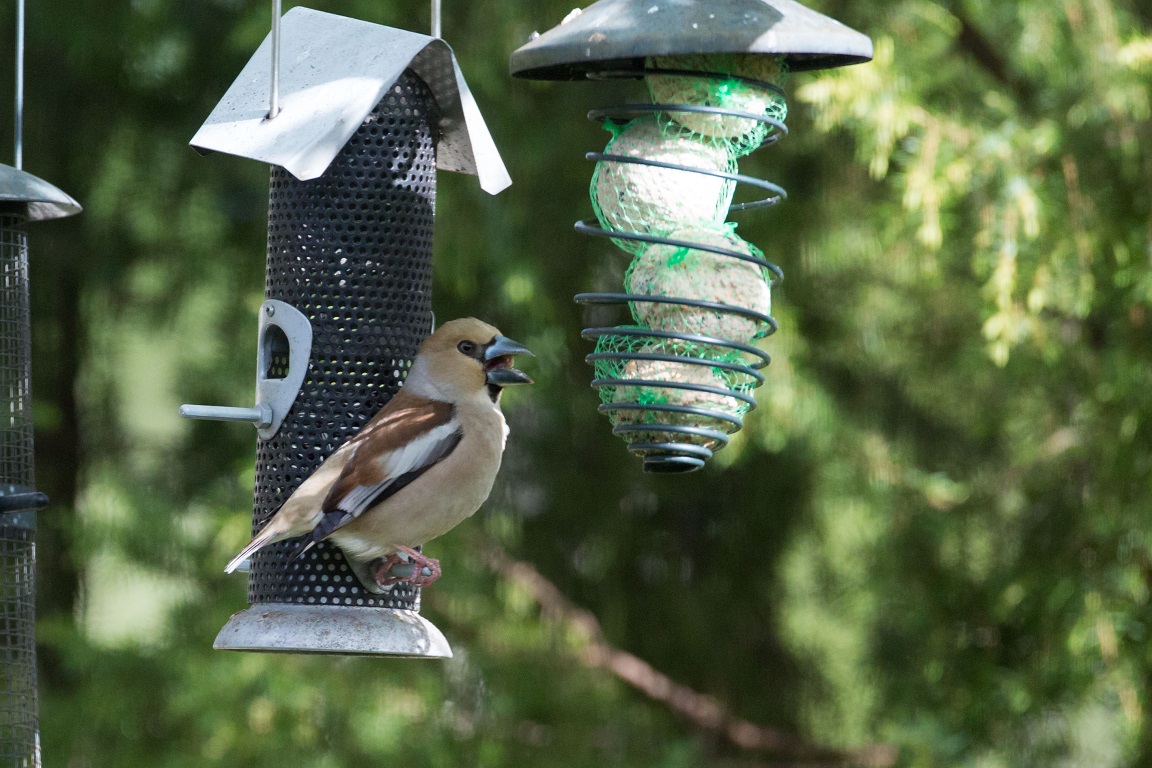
[{"x": 650, "y": 201}]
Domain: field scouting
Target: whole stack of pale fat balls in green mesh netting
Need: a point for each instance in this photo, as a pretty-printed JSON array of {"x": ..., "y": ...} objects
[{"x": 698, "y": 394}]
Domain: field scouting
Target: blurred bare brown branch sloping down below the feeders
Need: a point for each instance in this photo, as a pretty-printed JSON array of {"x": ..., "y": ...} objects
[{"x": 700, "y": 709}]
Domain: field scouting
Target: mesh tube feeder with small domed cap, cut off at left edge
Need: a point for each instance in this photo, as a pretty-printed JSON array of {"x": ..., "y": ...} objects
[{"x": 24, "y": 199}]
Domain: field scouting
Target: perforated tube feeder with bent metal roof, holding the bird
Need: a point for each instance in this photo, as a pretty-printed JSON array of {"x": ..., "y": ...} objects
[{"x": 366, "y": 116}]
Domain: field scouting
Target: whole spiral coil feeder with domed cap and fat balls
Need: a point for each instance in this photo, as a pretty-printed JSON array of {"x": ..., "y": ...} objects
[{"x": 677, "y": 383}]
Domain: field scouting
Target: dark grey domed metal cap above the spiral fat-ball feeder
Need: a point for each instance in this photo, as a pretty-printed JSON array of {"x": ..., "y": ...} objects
[{"x": 622, "y": 34}]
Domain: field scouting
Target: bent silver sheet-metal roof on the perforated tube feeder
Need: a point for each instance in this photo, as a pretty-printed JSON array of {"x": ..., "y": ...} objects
[{"x": 334, "y": 73}]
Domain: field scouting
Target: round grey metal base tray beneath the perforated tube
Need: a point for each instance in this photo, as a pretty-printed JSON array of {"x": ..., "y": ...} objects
[{"x": 292, "y": 628}]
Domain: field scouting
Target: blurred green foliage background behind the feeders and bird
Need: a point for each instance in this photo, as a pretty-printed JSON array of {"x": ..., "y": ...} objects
[{"x": 929, "y": 548}]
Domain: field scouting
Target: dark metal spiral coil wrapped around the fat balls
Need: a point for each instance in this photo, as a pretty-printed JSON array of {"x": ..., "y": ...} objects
[{"x": 676, "y": 447}]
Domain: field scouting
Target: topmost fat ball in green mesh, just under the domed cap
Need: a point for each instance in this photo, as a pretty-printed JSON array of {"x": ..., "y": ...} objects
[{"x": 725, "y": 82}]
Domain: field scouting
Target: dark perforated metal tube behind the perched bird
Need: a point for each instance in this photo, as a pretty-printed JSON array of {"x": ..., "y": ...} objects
[{"x": 353, "y": 252}]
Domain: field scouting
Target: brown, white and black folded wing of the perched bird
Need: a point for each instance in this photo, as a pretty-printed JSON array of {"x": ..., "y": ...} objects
[{"x": 391, "y": 452}]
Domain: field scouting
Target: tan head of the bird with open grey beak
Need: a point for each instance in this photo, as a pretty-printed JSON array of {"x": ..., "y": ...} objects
[{"x": 466, "y": 358}]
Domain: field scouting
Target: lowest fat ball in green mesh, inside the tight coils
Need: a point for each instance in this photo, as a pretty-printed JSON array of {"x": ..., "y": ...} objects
[{"x": 695, "y": 368}]
